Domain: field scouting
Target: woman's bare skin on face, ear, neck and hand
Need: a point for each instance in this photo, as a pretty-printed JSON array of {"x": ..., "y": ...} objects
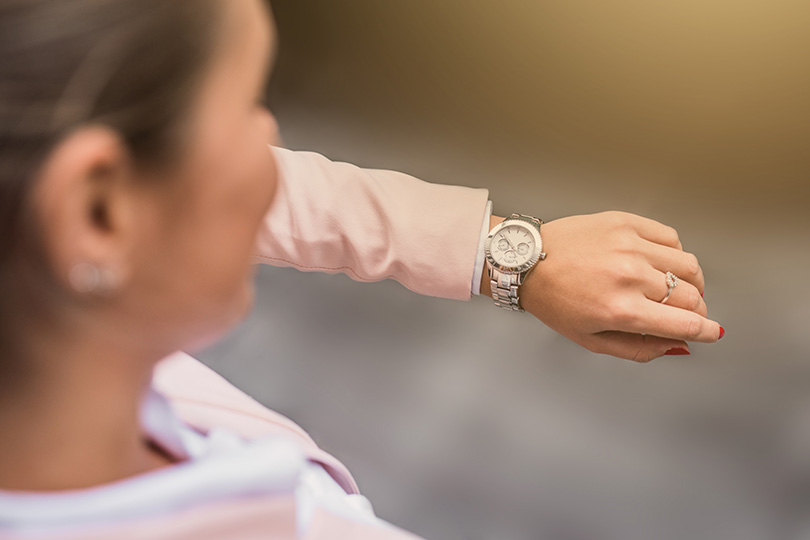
[{"x": 181, "y": 242}]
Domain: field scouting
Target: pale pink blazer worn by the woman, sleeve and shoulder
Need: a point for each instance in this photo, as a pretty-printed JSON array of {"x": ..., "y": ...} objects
[{"x": 326, "y": 217}]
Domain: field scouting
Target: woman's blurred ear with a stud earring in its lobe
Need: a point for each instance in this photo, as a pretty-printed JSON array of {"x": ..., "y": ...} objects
[{"x": 84, "y": 205}]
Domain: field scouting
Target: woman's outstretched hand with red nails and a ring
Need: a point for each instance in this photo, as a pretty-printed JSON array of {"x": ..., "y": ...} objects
[{"x": 602, "y": 284}]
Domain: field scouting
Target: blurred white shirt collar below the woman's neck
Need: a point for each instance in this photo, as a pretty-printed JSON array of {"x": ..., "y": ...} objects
[{"x": 218, "y": 465}]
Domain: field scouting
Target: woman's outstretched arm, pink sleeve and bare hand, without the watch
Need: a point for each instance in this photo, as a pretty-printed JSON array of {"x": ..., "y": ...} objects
[{"x": 601, "y": 285}]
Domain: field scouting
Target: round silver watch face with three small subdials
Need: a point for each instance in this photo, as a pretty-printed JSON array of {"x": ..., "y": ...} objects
[{"x": 513, "y": 246}]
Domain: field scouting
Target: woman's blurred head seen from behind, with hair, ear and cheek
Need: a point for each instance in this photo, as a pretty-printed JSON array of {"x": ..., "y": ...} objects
[{"x": 132, "y": 147}]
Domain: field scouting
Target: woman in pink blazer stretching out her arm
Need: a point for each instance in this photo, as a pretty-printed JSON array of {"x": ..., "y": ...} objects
[{"x": 136, "y": 183}]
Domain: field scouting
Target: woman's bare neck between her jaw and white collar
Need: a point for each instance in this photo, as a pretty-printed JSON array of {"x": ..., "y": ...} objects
[{"x": 71, "y": 421}]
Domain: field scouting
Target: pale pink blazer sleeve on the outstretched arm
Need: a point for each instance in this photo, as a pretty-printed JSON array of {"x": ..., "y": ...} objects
[{"x": 372, "y": 225}]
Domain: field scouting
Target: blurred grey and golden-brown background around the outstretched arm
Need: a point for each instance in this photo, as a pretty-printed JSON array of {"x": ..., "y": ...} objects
[{"x": 694, "y": 113}]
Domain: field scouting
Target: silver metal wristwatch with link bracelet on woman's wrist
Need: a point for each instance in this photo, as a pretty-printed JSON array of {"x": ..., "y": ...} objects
[{"x": 512, "y": 250}]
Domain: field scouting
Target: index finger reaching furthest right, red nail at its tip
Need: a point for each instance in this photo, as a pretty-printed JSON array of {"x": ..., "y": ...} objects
[{"x": 669, "y": 322}]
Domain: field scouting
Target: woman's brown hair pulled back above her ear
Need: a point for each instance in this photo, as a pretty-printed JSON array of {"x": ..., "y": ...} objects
[{"x": 131, "y": 65}]
